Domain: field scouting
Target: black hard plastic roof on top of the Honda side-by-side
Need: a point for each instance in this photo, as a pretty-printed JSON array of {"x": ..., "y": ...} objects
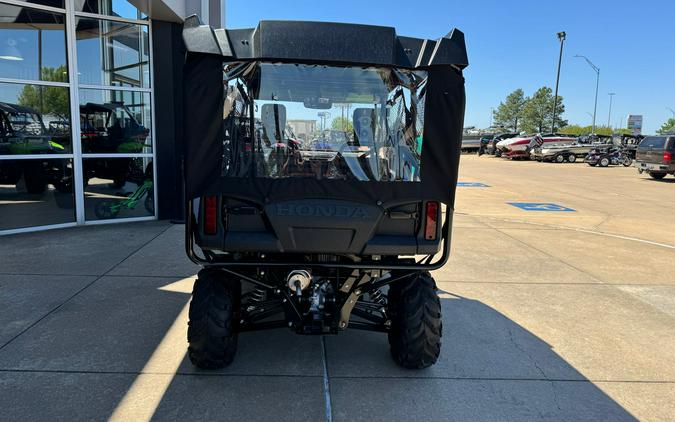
[{"x": 325, "y": 42}]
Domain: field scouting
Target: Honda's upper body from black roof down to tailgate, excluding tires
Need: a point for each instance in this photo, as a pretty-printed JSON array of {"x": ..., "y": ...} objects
[{"x": 305, "y": 148}]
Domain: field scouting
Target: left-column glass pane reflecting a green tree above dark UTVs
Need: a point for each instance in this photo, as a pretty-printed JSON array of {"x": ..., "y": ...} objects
[{"x": 34, "y": 119}]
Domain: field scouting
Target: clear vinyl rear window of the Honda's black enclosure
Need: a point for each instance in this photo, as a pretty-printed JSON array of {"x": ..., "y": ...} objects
[{"x": 323, "y": 122}]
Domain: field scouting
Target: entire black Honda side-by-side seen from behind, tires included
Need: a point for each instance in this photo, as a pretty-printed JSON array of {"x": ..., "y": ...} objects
[{"x": 321, "y": 162}]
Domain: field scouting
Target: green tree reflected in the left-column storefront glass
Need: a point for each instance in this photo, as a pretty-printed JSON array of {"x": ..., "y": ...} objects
[{"x": 47, "y": 100}]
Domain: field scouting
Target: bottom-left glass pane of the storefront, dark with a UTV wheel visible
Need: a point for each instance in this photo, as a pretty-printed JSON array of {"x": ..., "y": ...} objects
[{"x": 36, "y": 192}]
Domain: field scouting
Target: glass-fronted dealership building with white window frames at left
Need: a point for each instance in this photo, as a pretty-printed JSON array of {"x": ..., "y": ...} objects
[{"x": 90, "y": 103}]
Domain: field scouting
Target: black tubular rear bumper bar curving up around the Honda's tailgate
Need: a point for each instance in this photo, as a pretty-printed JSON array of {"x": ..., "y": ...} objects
[{"x": 422, "y": 265}]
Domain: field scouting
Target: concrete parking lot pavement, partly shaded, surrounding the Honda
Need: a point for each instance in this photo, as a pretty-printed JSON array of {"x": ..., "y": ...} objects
[{"x": 562, "y": 313}]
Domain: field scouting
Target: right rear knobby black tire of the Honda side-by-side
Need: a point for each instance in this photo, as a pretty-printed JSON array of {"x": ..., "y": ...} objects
[{"x": 416, "y": 325}]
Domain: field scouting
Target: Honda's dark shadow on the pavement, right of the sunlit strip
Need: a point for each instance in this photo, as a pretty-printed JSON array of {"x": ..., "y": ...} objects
[{"x": 490, "y": 368}]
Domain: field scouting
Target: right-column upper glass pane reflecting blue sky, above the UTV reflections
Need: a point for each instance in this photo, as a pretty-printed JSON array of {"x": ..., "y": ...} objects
[{"x": 112, "y": 53}]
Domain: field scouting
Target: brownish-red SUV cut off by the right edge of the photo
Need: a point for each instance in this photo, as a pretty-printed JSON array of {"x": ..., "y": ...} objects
[{"x": 655, "y": 156}]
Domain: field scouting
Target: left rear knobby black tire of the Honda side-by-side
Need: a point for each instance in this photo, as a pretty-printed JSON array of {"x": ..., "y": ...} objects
[{"x": 214, "y": 313}]
